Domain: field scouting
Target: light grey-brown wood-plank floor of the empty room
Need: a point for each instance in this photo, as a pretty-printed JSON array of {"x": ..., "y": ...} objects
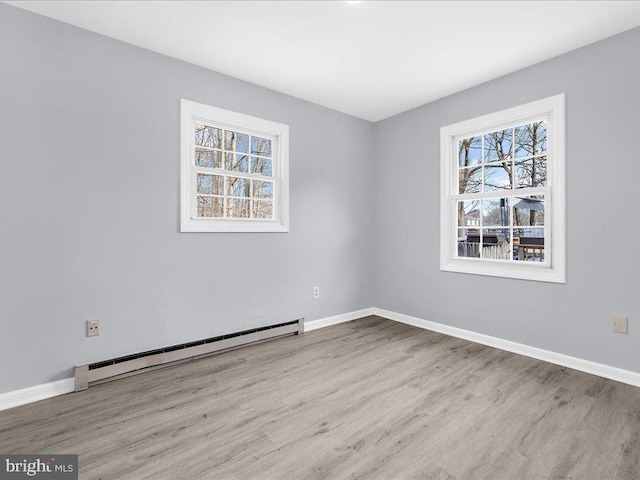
[{"x": 370, "y": 399}]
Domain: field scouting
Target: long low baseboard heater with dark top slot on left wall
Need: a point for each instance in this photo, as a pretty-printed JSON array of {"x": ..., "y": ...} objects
[{"x": 105, "y": 371}]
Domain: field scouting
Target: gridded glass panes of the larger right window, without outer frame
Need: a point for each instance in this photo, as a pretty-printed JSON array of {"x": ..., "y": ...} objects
[{"x": 510, "y": 163}]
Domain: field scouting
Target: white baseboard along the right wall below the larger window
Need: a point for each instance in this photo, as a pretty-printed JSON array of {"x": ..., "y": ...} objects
[{"x": 599, "y": 369}]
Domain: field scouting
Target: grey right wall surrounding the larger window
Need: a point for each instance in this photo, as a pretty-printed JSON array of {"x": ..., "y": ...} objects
[{"x": 601, "y": 83}]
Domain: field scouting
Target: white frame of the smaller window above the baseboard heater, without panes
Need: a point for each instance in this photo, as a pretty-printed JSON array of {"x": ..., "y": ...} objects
[{"x": 192, "y": 113}]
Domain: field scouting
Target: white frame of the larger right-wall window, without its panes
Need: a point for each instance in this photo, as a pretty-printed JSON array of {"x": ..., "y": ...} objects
[{"x": 552, "y": 110}]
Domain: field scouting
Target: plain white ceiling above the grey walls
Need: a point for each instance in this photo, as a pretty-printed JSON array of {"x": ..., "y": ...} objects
[{"x": 369, "y": 59}]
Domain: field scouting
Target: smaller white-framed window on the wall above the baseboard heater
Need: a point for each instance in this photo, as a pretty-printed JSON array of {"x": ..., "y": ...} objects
[{"x": 234, "y": 172}]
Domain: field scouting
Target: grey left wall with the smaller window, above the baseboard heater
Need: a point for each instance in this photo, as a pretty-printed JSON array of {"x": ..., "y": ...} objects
[{"x": 89, "y": 197}]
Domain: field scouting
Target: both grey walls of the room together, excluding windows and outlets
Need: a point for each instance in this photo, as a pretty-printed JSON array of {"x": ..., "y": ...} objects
[{"x": 89, "y": 199}]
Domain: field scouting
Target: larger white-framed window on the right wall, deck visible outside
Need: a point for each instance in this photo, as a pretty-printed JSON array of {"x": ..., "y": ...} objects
[{"x": 503, "y": 190}]
